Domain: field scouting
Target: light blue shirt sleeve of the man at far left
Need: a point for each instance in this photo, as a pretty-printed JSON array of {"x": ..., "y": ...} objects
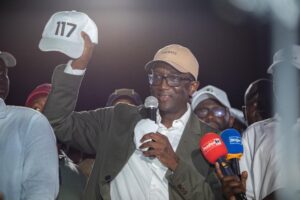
[{"x": 40, "y": 178}]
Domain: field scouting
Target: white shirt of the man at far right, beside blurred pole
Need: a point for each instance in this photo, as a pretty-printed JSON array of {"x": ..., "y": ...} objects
[{"x": 261, "y": 159}]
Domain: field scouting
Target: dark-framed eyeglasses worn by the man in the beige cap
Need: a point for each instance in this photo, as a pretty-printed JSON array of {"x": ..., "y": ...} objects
[{"x": 173, "y": 80}]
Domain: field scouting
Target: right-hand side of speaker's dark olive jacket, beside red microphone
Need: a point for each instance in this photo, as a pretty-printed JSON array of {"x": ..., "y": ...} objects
[{"x": 193, "y": 177}]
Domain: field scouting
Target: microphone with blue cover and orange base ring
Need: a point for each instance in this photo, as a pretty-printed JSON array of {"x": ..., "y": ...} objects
[{"x": 233, "y": 141}]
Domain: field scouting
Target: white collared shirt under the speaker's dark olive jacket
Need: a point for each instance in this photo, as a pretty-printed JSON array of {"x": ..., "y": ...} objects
[{"x": 143, "y": 178}]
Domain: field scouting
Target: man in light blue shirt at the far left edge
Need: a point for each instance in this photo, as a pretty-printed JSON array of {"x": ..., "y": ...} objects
[{"x": 29, "y": 162}]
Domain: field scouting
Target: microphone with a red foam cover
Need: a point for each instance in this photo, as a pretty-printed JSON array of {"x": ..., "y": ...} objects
[{"x": 214, "y": 150}]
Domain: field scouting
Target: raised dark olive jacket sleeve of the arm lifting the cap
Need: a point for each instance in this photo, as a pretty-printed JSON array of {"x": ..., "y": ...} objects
[{"x": 80, "y": 129}]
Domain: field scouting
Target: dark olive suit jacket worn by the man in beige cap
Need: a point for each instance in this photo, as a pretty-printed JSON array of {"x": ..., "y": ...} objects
[{"x": 108, "y": 133}]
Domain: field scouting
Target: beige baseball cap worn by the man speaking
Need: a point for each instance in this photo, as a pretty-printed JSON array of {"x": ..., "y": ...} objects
[{"x": 180, "y": 57}]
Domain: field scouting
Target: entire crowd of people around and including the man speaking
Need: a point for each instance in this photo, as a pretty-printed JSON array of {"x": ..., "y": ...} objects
[{"x": 36, "y": 141}]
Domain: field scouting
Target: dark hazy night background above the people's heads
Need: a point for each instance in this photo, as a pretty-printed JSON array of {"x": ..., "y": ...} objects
[{"x": 233, "y": 48}]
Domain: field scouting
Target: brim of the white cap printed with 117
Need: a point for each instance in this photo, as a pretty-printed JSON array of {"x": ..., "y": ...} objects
[{"x": 73, "y": 50}]
